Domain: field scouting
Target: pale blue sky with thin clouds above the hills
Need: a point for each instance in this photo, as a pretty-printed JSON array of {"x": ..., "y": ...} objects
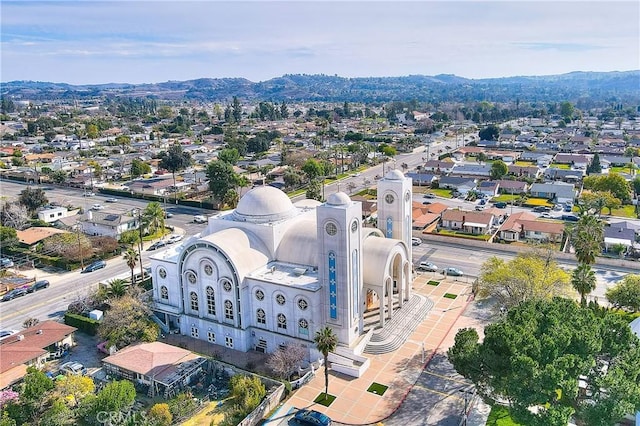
[{"x": 93, "y": 42}]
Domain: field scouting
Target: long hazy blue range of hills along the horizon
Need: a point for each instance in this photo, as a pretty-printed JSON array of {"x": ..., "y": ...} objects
[{"x": 589, "y": 87}]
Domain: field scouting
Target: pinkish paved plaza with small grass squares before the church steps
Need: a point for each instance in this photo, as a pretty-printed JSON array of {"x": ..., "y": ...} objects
[{"x": 400, "y": 369}]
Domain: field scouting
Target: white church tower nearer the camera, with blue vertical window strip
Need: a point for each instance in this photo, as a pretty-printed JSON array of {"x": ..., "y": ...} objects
[{"x": 340, "y": 265}]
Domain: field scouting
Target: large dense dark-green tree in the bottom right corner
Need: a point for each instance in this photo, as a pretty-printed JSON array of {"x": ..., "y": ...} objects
[{"x": 535, "y": 357}]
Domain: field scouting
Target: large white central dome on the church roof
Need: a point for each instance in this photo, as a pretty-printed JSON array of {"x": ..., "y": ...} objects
[{"x": 264, "y": 204}]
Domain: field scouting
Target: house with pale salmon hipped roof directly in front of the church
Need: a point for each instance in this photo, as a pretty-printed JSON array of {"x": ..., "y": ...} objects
[{"x": 165, "y": 369}]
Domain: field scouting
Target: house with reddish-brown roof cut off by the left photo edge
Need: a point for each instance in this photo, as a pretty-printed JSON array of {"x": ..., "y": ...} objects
[{"x": 32, "y": 347}]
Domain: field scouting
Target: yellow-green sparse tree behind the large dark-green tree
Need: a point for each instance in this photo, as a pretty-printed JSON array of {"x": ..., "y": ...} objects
[{"x": 530, "y": 275}]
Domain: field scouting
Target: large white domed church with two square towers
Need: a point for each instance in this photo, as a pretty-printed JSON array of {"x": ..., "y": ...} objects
[{"x": 271, "y": 272}]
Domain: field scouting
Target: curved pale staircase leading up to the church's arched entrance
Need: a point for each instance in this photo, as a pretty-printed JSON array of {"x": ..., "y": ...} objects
[{"x": 397, "y": 330}]
